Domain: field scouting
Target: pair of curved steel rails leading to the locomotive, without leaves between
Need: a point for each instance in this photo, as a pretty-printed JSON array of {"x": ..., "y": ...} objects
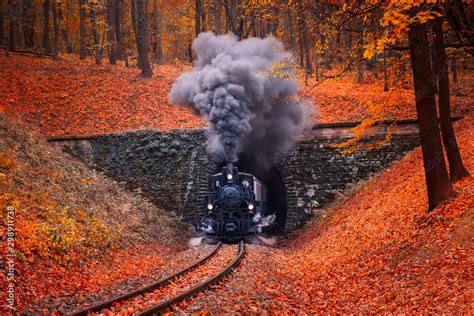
[{"x": 163, "y": 305}]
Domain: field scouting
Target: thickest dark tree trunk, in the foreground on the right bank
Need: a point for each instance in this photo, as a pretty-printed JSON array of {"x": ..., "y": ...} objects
[{"x": 438, "y": 185}]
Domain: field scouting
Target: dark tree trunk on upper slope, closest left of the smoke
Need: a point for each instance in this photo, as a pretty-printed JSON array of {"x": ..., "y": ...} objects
[{"x": 142, "y": 27}]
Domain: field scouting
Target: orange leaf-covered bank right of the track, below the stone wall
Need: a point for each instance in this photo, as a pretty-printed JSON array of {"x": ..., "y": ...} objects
[{"x": 376, "y": 251}]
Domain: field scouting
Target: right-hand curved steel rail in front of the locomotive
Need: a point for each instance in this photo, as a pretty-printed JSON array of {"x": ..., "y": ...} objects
[{"x": 161, "y": 307}]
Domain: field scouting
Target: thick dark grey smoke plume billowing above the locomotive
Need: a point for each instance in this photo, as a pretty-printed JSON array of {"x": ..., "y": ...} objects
[{"x": 250, "y": 110}]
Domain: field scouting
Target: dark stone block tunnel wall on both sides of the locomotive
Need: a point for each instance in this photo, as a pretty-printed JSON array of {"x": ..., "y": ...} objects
[{"x": 171, "y": 168}]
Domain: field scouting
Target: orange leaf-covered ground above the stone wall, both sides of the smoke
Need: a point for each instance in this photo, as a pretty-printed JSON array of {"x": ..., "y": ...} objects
[{"x": 75, "y": 97}]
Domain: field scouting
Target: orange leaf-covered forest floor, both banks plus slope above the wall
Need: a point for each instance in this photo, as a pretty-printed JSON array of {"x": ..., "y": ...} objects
[{"x": 376, "y": 249}]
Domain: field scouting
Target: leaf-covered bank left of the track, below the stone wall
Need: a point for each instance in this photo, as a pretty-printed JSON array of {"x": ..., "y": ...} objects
[{"x": 75, "y": 229}]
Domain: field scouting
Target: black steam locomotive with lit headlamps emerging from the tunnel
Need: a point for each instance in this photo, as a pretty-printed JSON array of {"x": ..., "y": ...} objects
[{"x": 234, "y": 199}]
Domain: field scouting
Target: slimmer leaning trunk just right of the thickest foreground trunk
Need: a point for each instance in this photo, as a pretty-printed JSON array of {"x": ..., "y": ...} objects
[{"x": 456, "y": 166}]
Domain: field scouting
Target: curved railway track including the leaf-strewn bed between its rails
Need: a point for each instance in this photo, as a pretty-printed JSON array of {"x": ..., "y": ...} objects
[{"x": 155, "y": 296}]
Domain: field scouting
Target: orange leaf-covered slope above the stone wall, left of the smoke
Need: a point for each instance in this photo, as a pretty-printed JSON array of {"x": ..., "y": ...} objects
[{"x": 74, "y": 97}]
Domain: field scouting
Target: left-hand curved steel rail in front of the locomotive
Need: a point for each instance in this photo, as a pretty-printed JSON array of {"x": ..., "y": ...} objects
[{"x": 158, "y": 284}]
